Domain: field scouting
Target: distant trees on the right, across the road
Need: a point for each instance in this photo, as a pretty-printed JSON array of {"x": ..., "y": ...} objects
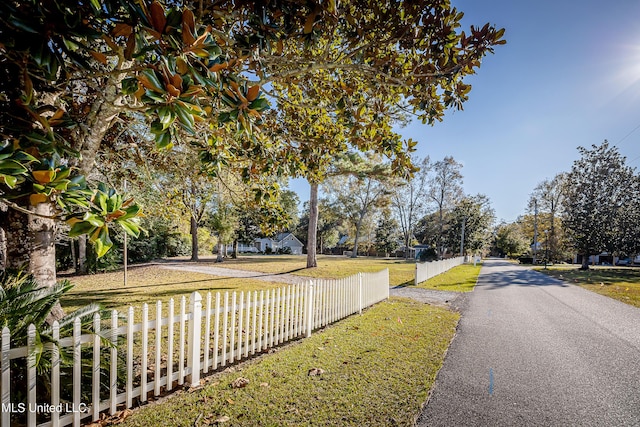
[{"x": 591, "y": 209}]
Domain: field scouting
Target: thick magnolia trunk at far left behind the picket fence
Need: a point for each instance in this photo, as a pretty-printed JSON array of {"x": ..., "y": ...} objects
[{"x": 30, "y": 244}]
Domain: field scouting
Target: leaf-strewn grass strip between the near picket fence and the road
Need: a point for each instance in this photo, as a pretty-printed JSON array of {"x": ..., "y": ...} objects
[{"x": 377, "y": 368}]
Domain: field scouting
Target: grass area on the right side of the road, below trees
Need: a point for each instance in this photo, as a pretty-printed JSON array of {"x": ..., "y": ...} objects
[{"x": 622, "y": 284}]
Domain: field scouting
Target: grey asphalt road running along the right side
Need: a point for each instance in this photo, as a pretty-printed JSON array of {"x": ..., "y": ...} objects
[{"x": 531, "y": 350}]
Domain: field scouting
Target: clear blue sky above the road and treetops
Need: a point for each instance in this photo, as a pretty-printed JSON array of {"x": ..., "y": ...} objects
[{"x": 569, "y": 75}]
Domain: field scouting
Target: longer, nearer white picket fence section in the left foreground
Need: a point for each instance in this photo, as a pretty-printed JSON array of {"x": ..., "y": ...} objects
[{"x": 160, "y": 354}]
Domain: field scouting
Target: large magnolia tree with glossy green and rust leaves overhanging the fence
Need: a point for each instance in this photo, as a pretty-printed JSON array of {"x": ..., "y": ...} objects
[{"x": 71, "y": 70}]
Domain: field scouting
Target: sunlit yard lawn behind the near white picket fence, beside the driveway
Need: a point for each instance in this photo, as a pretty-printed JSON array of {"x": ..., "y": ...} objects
[{"x": 149, "y": 284}]
